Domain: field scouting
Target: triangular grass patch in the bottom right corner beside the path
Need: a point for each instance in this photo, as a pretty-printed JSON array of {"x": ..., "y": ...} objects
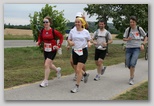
[{"x": 138, "y": 93}]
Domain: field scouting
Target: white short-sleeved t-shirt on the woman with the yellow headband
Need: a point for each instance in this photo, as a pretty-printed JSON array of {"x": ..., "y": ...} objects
[{"x": 79, "y": 38}]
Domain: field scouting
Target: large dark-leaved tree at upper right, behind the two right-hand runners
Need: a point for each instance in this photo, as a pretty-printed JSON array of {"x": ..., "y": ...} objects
[{"x": 120, "y": 14}]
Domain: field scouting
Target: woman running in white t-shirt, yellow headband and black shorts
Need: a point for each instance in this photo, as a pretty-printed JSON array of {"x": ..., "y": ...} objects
[{"x": 78, "y": 38}]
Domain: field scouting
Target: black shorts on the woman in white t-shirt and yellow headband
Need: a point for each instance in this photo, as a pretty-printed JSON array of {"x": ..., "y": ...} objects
[{"x": 81, "y": 59}]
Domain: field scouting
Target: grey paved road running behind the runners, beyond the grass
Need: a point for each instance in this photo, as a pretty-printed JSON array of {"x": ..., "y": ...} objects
[{"x": 29, "y": 43}]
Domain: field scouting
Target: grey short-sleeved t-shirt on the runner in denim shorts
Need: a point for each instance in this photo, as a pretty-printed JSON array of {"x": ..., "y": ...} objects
[{"x": 136, "y": 37}]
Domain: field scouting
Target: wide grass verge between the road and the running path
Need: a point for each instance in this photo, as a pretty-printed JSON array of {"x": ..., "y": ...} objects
[{"x": 26, "y": 65}]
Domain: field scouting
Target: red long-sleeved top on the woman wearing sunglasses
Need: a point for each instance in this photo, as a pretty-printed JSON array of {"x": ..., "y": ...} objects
[{"x": 47, "y": 37}]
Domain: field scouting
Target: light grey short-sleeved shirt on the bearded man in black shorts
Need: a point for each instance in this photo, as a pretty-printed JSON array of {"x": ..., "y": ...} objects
[{"x": 101, "y": 37}]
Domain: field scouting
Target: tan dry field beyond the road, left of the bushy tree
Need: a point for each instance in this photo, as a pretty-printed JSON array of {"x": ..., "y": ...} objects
[{"x": 19, "y": 32}]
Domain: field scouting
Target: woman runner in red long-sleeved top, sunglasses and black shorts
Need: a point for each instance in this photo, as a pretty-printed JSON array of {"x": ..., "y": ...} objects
[{"x": 48, "y": 37}]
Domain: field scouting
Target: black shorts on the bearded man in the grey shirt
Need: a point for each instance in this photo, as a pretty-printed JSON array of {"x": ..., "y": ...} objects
[{"x": 100, "y": 54}]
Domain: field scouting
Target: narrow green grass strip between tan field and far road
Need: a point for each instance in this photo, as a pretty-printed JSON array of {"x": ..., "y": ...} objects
[{"x": 18, "y": 37}]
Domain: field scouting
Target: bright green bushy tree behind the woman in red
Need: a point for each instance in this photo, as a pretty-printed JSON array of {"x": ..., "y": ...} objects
[{"x": 58, "y": 20}]
